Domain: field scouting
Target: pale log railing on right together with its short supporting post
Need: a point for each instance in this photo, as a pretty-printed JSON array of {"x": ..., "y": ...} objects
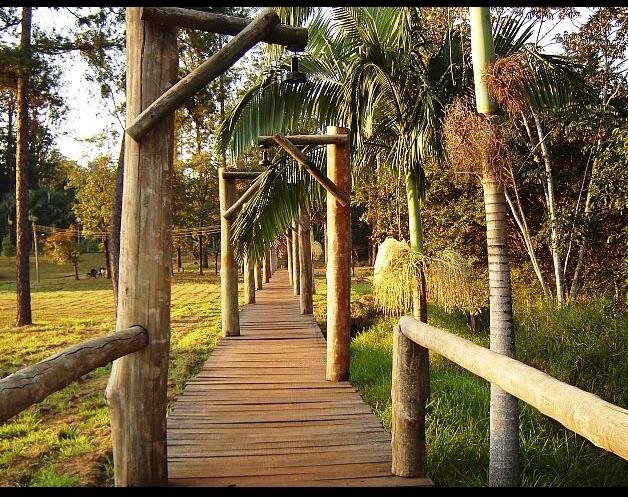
[{"x": 602, "y": 423}]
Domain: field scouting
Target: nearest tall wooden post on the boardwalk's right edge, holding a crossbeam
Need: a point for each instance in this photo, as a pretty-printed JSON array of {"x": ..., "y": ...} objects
[{"x": 338, "y": 262}]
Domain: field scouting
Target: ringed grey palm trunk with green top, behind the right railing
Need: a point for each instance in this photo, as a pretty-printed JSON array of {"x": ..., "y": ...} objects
[{"x": 504, "y": 415}]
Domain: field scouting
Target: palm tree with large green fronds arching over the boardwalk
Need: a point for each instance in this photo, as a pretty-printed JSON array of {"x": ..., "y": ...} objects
[{"x": 372, "y": 74}]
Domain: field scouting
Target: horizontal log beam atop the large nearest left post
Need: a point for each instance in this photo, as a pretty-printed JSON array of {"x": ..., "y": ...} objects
[{"x": 294, "y": 37}]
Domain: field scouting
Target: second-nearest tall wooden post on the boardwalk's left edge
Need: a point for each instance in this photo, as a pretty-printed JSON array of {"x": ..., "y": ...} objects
[{"x": 228, "y": 268}]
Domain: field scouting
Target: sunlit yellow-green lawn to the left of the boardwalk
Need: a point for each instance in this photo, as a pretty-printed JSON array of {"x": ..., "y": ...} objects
[{"x": 65, "y": 439}]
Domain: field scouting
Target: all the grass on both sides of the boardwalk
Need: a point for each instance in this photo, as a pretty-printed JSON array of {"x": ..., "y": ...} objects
[{"x": 65, "y": 439}]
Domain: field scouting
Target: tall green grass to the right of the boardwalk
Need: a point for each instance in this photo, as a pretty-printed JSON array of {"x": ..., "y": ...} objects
[{"x": 584, "y": 344}]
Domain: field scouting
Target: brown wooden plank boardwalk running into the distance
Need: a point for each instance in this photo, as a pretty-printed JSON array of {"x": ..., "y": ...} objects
[{"x": 260, "y": 412}]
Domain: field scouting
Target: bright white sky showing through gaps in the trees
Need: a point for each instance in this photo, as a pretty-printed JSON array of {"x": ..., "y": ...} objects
[{"x": 88, "y": 114}]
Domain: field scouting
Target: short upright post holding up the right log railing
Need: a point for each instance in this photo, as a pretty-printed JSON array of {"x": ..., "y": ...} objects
[{"x": 410, "y": 382}]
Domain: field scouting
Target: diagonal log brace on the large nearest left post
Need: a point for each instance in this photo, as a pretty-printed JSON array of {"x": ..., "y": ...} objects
[{"x": 204, "y": 74}]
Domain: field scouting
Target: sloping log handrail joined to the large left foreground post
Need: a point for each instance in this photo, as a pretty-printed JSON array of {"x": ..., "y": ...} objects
[{"x": 34, "y": 383}]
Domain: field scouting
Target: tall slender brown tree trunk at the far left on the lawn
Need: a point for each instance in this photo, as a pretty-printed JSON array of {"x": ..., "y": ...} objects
[{"x": 22, "y": 232}]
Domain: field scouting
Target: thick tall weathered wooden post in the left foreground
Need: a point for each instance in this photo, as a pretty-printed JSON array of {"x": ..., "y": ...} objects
[{"x": 136, "y": 392}]
